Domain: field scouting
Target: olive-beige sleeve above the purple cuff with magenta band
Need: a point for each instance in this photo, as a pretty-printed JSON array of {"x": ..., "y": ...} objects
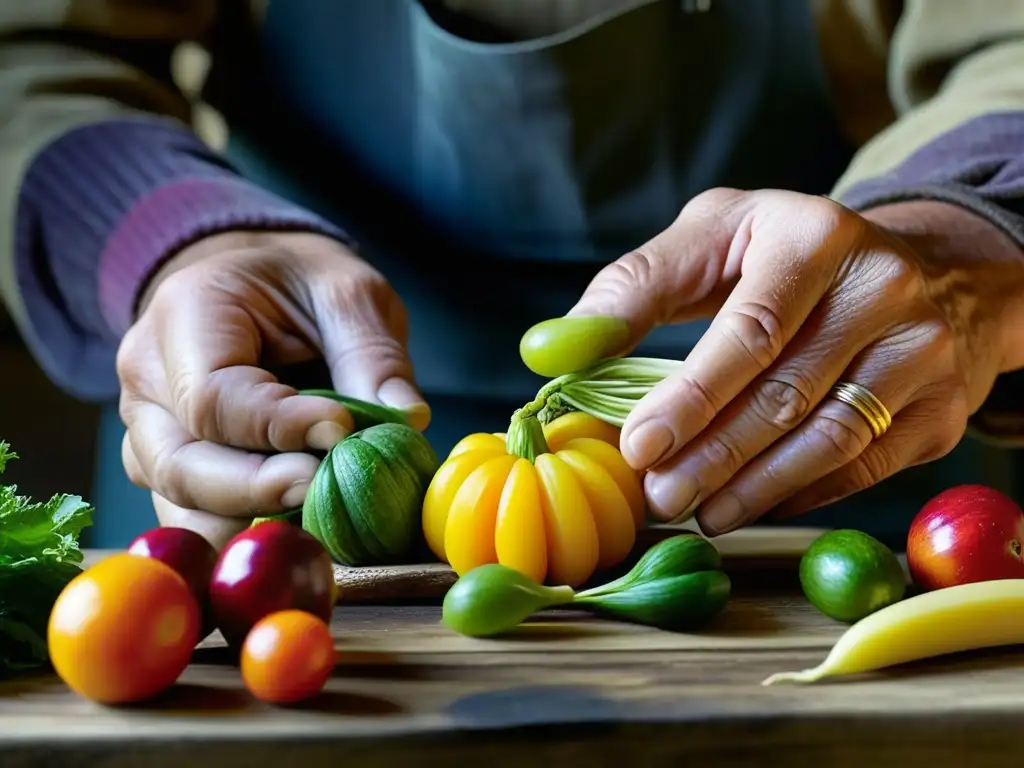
[{"x": 67, "y": 64}]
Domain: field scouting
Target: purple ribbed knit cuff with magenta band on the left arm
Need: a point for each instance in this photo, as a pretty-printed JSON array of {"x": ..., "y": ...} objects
[{"x": 99, "y": 210}]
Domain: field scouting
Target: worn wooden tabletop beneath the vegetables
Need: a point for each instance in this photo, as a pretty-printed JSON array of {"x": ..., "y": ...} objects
[{"x": 568, "y": 691}]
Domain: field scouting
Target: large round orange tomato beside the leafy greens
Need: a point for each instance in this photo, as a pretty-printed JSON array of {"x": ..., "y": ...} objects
[{"x": 123, "y": 630}]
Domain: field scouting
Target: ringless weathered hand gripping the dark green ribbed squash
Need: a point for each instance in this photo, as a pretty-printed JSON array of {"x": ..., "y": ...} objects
[{"x": 212, "y": 434}]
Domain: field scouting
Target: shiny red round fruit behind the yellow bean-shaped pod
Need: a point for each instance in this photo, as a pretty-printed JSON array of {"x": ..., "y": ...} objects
[{"x": 966, "y": 534}]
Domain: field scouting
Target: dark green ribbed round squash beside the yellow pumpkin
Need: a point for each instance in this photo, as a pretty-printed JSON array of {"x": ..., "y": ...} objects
[{"x": 365, "y": 502}]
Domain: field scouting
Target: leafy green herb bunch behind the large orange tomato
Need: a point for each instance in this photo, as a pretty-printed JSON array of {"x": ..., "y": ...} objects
[{"x": 39, "y": 556}]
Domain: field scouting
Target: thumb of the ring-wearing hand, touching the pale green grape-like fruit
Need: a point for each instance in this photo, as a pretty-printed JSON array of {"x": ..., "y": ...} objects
[{"x": 682, "y": 274}]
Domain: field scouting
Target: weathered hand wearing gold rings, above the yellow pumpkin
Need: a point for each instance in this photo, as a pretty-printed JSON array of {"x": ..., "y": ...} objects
[{"x": 922, "y": 304}]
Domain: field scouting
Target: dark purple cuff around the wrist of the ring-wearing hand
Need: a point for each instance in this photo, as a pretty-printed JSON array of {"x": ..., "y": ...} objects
[{"x": 979, "y": 166}]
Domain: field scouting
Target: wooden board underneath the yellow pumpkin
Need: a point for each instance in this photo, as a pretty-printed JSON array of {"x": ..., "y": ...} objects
[{"x": 748, "y": 549}]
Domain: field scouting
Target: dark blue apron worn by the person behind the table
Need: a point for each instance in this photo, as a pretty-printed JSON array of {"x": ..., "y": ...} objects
[{"x": 491, "y": 179}]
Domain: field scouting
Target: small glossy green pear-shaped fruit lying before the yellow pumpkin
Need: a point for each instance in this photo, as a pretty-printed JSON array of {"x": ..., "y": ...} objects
[{"x": 492, "y": 600}]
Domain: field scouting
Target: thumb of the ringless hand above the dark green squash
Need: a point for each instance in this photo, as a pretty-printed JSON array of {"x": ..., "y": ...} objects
[{"x": 364, "y": 330}]
